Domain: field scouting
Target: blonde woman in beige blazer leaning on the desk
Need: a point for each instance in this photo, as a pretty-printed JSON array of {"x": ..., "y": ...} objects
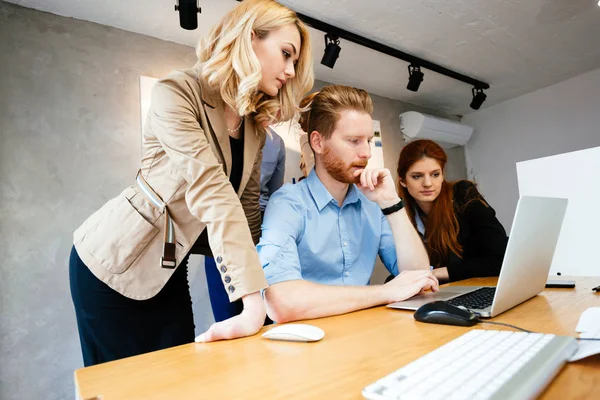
[{"x": 199, "y": 174}]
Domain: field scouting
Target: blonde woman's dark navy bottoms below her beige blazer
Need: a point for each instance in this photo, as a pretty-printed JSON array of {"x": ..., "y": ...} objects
[{"x": 112, "y": 326}]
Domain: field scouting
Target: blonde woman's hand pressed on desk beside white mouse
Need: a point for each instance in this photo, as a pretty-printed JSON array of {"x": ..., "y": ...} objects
[{"x": 246, "y": 324}]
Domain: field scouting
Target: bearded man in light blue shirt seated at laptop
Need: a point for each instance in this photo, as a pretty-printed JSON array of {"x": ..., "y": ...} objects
[{"x": 320, "y": 237}]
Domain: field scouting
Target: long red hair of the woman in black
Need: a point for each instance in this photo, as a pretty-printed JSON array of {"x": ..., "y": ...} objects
[{"x": 441, "y": 227}]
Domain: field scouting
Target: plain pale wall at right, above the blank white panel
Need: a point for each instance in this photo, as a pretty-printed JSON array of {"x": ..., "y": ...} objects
[{"x": 557, "y": 119}]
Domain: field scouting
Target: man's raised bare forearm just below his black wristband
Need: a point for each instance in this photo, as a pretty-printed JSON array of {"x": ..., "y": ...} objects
[{"x": 409, "y": 247}]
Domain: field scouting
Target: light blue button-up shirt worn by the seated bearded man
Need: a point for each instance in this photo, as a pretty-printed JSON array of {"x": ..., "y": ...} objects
[{"x": 306, "y": 235}]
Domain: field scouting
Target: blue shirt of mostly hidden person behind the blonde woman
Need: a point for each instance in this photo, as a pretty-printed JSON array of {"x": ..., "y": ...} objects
[{"x": 272, "y": 168}]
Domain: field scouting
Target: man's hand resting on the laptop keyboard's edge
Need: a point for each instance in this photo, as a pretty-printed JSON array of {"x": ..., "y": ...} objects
[{"x": 410, "y": 283}]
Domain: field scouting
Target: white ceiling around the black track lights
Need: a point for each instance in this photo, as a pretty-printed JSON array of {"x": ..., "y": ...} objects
[{"x": 517, "y": 46}]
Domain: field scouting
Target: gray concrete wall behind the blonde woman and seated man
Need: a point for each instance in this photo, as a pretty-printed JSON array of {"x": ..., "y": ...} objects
[{"x": 70, "y": 140}]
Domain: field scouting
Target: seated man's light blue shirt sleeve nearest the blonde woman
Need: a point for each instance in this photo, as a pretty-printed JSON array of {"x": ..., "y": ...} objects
[{"x": 282, "y": 228}]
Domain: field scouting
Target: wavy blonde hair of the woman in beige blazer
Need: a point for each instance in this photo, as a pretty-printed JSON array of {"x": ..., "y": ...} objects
[{"x": 231, "y": 66}]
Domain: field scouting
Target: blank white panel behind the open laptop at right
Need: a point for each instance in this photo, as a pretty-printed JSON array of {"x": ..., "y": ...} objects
[{"x": 575, "y": 176}]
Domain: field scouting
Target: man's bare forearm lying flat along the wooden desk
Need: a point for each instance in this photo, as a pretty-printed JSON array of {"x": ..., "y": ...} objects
[{"x": 299, "y": 299}]
